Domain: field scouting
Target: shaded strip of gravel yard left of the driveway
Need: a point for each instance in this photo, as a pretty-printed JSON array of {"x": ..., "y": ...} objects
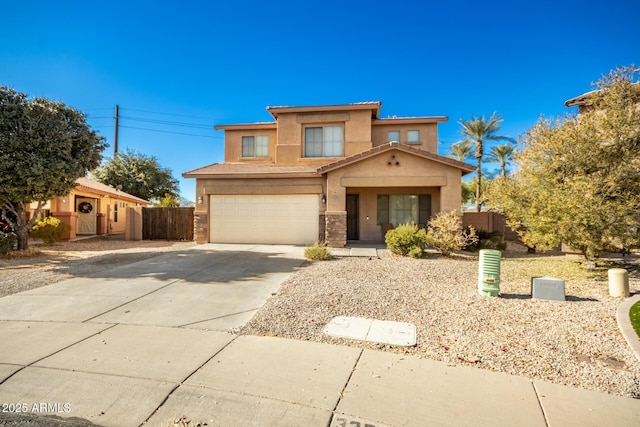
[{"x": 46, "y": 264}]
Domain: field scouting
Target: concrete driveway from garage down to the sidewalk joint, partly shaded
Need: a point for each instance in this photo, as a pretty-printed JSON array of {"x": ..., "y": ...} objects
[{"x": 212, "y": 286}]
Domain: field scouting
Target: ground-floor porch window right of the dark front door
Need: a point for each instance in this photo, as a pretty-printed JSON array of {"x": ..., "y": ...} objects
[{"x": 400, "y": 209}]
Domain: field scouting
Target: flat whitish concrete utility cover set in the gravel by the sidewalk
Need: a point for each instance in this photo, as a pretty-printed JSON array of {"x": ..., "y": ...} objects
[{"x": 380, "y": 331}]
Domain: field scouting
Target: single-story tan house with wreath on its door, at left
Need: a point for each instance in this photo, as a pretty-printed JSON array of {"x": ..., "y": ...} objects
[{"x": 92, "y": 208}]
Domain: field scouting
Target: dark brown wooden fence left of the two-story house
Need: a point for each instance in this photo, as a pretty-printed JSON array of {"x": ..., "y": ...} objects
[{"x": 167, "y": 223}]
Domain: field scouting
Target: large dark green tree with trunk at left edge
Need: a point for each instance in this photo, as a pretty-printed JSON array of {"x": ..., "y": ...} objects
[{"x": 44, "y": 147}]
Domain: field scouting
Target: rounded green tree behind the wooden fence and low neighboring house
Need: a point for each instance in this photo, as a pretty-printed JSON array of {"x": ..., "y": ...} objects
[{"x": 139, "y": 175}]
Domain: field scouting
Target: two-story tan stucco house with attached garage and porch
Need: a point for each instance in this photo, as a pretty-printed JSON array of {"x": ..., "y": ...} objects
[{"x": 333, "y": 173}]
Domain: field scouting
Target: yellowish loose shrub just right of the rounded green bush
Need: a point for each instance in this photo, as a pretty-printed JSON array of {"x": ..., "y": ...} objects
[{"x": 447, "y": 235}]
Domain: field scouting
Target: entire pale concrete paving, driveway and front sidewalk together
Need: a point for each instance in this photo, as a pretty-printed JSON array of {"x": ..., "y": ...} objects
[{"x": 150, "y": 343}]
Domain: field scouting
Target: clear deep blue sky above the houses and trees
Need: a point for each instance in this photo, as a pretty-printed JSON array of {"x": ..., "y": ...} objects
[{"x": 201, "y": 63}]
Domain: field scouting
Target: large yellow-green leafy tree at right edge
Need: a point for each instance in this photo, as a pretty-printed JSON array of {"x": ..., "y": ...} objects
[{"x": 579, "y": 175}]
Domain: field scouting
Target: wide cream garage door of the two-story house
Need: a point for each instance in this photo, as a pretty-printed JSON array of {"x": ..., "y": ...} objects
[{"x": 283, "y": 219}]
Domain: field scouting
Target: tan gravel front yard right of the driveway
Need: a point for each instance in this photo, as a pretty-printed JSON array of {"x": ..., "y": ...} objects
[{"x": 576, "y": 342}]
